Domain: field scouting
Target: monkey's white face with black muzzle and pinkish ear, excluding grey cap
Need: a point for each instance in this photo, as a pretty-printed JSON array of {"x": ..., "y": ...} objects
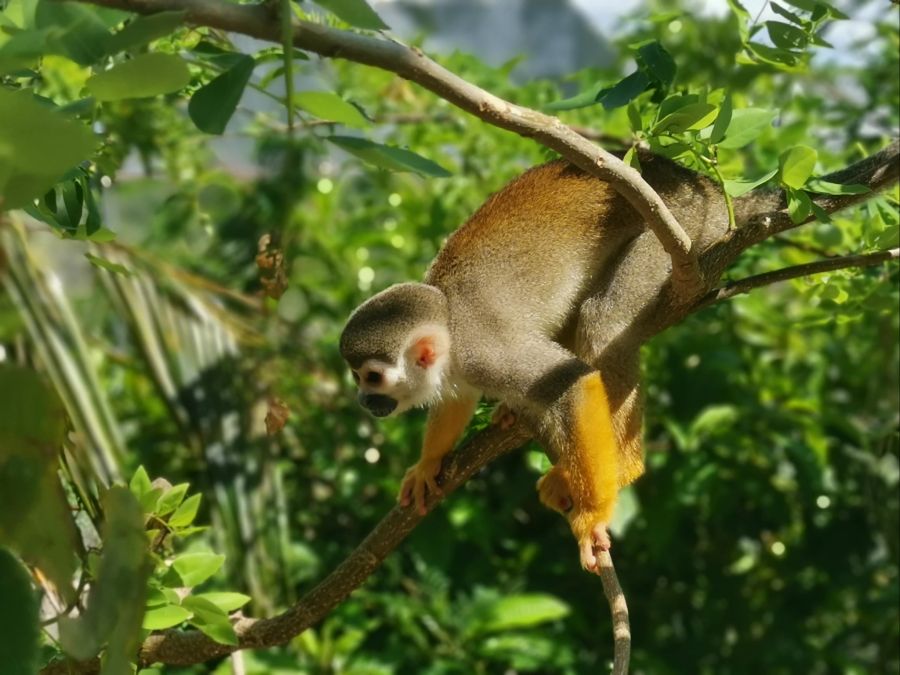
[{"x": 414, "y": 379}]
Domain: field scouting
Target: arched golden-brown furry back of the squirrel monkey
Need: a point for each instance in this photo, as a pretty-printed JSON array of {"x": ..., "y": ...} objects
[{"x": 541, "y": 239}]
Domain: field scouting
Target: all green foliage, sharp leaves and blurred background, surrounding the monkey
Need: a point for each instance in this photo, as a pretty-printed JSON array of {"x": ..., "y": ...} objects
[{"x": 764, "y": 536}]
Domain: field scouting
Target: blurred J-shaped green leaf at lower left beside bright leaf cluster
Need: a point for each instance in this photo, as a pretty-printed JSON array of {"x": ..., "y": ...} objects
[{"x": 116, "y": 602}]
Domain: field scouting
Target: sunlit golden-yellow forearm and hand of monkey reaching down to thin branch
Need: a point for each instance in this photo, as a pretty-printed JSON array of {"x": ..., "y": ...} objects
[{"x": 590, "y": 463}]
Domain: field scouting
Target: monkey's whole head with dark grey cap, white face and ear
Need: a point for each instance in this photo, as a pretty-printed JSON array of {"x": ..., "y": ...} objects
[{"x": 398, "y": 346}]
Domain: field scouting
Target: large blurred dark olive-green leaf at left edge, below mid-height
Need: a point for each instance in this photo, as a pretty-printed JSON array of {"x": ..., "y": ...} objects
[{"x": 35, "y": 520}]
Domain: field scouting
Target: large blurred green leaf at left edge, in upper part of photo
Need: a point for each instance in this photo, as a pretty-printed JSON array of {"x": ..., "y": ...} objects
[{"x": 37, "y": 146}]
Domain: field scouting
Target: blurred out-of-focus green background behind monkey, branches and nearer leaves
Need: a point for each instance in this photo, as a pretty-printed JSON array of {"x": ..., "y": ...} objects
[{"x": 764, "y": 537}]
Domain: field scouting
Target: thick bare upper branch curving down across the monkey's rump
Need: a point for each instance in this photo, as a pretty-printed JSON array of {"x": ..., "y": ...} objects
[{"x": 411, "y": 64}]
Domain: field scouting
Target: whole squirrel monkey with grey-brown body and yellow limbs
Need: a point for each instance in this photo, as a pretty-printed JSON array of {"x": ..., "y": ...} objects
[{"x": 509, "y": 310}]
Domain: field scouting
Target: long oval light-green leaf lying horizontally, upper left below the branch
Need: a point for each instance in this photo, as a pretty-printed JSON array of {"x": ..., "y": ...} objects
[{"x": 145, "y": 75}]
